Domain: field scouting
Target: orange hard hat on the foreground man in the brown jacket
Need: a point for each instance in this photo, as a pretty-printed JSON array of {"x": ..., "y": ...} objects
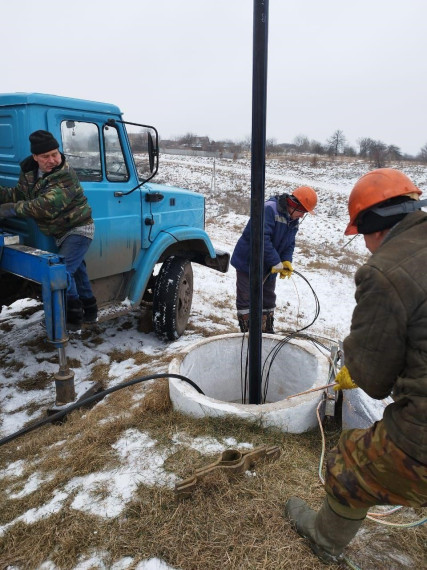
[{"x": 376, "y": 187}]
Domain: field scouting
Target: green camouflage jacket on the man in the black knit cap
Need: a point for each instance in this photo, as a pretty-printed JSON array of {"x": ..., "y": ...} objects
[{"x": 56, "y": 200}]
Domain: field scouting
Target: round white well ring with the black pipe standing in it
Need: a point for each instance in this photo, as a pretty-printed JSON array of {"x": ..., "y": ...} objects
[{"x": 217, "y": 365}]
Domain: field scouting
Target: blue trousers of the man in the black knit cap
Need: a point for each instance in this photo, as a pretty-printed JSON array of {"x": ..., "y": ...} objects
[{"x": 73, "y": 249}]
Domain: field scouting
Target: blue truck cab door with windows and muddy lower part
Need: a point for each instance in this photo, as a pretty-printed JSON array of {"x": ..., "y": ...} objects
[{"x": 97, "y": 153}]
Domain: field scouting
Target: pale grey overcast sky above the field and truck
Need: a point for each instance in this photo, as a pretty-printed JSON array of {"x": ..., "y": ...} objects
[{"x": 186, "y": 65}]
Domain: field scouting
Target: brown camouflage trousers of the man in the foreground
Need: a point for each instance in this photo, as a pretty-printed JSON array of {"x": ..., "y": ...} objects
[{"x": 367, "y": 469}]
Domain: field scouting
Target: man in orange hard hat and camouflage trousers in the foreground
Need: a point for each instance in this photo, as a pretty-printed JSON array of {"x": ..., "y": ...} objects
[{"x": 385, "y": 354}]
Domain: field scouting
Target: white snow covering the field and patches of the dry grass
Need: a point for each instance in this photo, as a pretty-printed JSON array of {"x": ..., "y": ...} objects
[{"x": 325, "y": 257}]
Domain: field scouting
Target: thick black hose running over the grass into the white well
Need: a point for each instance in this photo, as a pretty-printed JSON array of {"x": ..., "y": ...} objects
[{"x": 97, "y": 396}]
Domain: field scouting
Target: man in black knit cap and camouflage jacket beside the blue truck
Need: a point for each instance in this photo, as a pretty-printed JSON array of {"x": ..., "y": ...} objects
[{"x": 49, "y": 191}]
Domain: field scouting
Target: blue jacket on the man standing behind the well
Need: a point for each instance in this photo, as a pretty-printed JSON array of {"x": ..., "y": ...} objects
[{"x": 279, "y": 239}]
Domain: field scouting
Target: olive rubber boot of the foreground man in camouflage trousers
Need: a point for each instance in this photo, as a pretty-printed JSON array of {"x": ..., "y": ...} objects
[{"x": 327, "y": 532}]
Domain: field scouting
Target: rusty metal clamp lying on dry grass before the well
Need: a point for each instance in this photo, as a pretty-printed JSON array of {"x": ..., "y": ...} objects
[{"x": 231, "y": 460}]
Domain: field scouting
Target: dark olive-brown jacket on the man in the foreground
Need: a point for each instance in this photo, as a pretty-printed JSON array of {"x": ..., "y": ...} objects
[{"x": 386, "y": 350}]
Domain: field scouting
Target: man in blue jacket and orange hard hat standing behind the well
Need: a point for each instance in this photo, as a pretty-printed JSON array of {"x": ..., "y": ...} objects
[{"x": 281, "y": 222}]
